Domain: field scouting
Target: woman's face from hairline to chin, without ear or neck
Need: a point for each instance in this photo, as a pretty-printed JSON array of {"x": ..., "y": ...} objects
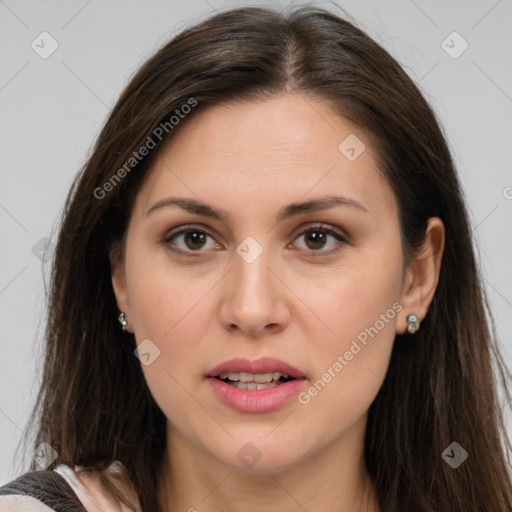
[{"x": 264, "y": 281}]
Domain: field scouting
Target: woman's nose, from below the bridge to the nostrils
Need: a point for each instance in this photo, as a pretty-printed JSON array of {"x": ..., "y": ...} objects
[{"x": 255, "y": 298}]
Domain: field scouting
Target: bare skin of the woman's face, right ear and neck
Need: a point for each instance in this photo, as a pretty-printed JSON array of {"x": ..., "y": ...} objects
[{"x": 251, "y": 159}]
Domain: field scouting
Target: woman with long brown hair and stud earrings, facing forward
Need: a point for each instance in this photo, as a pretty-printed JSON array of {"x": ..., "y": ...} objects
[{"x": 264, "y": 293}]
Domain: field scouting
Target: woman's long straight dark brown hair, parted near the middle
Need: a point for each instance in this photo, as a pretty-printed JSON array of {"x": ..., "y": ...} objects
[{"x": 94, "y": 406}]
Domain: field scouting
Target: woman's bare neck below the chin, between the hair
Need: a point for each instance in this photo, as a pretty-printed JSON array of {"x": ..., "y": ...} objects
[{"x": 334, "y": 478}]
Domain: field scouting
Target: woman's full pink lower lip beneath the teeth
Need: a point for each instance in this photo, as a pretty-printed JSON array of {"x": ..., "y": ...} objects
[{"x": 257, "y": 400}]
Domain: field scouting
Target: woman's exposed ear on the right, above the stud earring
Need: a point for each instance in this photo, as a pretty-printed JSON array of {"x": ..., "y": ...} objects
[{"x": 422, "y": 275}]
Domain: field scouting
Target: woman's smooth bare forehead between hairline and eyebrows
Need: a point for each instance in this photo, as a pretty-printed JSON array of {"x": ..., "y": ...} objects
[{"x": 279, "y": 150}]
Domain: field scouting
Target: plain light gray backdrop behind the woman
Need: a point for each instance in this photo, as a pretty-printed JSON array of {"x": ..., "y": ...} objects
[{"x": 52, "y": 109}]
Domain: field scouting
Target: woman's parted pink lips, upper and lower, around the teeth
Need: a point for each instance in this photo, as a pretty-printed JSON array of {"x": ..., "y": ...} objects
[{"x": 257, "y": 400}]
